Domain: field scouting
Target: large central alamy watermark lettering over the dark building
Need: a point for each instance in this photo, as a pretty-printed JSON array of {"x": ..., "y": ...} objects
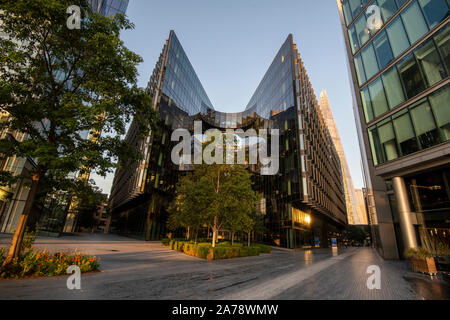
[{"x": 229, "y": 148}]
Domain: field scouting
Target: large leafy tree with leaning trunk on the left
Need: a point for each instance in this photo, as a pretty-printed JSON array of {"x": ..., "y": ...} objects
[{"x": 57, "y": 83}]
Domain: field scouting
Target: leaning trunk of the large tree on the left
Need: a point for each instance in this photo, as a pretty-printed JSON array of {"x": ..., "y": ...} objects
[{"x": 16, "y": 244}]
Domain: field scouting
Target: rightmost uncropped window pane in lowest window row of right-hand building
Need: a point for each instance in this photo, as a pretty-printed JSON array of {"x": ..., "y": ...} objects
[{"x": 423, "y": 121}]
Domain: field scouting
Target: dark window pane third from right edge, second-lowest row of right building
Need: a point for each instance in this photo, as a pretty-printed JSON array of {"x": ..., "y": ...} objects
[{"x": 410, "y": 75}]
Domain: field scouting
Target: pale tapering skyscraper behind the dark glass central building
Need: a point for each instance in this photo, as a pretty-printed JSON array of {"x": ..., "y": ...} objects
[{"x": 356, "y": 214}]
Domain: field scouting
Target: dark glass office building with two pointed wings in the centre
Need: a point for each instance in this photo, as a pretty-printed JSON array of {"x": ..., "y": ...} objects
[{"x": 303, "y": 204}]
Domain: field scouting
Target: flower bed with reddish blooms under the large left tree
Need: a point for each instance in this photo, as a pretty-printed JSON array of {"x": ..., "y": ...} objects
[{"x": 43, "y": 264}]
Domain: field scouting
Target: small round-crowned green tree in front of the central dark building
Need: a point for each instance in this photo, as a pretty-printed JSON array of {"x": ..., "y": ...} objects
[{"x": 214, "y": 195}]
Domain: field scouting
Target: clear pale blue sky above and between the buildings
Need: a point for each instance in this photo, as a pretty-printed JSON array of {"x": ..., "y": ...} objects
[{"x": 231, "y": 44}]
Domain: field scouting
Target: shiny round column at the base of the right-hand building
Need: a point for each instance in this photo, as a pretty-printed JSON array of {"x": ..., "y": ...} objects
[{"x": 404, "y": 211}]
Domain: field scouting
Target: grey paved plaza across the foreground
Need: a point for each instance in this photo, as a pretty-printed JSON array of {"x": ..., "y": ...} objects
[{"x": 133, "y": 269}]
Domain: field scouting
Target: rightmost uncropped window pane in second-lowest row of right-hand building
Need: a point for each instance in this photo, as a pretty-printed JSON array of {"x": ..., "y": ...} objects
[{"x": 430, "y": 62}]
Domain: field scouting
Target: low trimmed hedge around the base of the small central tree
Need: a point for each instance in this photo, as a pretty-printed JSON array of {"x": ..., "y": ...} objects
[{"x": 223, "y": 250}]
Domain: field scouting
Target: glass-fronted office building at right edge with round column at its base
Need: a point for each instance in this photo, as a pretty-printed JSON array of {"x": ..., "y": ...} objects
[{"x": 399, "y": 65}]
